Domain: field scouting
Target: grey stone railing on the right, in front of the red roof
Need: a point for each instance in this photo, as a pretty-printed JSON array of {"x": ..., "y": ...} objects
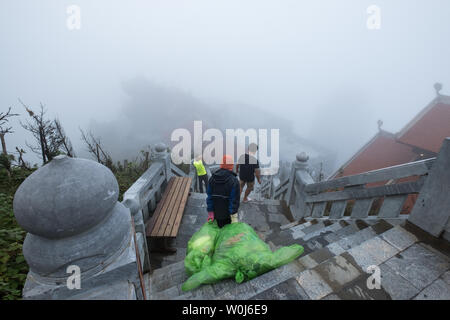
[{"x": 375, "y": 194}]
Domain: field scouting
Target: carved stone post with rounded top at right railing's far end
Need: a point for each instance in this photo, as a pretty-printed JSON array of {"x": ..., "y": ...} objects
[{"x": 298, "y": 179}]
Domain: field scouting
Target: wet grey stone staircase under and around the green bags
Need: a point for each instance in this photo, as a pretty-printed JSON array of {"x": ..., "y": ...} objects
[{"x": 334, "y": 265}]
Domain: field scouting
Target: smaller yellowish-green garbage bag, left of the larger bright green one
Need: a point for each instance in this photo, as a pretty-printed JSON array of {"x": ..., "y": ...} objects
[{"x": 201, "y": 248}]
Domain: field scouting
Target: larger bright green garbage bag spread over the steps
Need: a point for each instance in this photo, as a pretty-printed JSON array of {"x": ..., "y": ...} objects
[{"x": 239, "y": 253}]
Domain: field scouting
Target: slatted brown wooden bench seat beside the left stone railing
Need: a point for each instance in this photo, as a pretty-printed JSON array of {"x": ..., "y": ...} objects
[{"x": 166, "y": 220}]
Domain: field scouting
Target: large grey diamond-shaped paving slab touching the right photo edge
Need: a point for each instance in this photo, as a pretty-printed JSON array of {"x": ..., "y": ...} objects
[{"x": 418, "y": 265}]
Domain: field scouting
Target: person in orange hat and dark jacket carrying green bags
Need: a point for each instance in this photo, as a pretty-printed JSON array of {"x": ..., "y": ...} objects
[{"x": 223, "y": 193}]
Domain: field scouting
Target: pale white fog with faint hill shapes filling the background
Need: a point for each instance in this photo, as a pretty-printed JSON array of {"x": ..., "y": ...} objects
[{"x": 138, "y": 69}]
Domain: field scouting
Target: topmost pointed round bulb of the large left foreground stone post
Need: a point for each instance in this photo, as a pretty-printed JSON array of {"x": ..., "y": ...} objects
[{"x": 65, "y": 197}]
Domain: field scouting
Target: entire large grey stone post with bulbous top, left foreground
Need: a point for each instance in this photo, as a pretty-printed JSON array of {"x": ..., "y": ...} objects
[{"x": 80, "y": 240}]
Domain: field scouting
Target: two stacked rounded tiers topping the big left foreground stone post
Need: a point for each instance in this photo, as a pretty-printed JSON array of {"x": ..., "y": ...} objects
[{"x": 69, "y": 208}]
